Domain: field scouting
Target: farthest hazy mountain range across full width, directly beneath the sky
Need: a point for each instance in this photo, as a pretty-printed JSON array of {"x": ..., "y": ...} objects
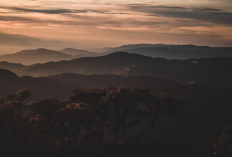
[{"x": 29, "y": 57}]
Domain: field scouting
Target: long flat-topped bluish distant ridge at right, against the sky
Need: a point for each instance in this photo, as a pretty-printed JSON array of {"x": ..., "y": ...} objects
[{"x": 172, "y": 51}]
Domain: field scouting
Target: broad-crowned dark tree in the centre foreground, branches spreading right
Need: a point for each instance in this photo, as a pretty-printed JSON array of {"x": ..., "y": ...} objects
[{"x": 116, "y": 110}]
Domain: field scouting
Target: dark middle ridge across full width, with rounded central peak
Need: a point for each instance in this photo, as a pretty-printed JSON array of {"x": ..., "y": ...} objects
[{"x": 212, "y": 71}]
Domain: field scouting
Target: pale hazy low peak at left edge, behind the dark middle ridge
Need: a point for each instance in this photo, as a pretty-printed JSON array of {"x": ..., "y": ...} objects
[{"x": 28, "y": 57}]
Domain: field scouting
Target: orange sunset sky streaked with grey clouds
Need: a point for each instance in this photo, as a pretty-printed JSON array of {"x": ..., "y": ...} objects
[{"x": 103, "y": 23}]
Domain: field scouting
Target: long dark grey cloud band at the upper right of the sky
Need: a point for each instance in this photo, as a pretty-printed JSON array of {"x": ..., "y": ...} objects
[{"x": 205, "y": 15}]
